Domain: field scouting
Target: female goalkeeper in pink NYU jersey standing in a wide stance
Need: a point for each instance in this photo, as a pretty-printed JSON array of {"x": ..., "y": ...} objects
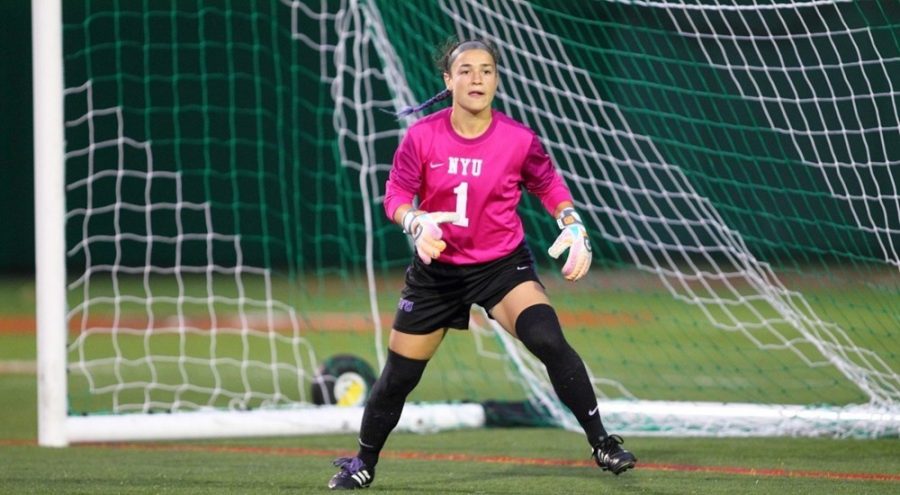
[{"x": 467, "y": 164}]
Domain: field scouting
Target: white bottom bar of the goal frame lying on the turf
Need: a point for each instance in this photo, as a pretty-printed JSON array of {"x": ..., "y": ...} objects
[{"x": 627, "y": 417}]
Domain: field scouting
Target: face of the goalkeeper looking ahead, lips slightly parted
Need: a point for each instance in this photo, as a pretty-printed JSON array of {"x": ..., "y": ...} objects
[{"x": 473, "y": 81}]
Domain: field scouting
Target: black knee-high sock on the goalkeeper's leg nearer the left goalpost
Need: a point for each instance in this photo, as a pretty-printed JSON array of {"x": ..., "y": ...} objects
[{"x": 398, "y": 378}]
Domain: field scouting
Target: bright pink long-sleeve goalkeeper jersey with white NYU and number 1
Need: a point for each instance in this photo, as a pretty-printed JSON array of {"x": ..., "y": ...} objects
[{"x": 478, "y": 178}]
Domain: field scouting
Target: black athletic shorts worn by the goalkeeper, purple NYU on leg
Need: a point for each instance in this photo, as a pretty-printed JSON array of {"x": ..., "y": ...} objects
[{"x": 441, "y": 295}]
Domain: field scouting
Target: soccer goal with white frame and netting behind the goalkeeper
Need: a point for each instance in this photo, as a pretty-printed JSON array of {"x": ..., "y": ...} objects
[{"x": 212, "y": 245}]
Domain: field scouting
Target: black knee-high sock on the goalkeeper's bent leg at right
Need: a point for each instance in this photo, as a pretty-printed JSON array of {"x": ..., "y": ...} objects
[{"x": 538, "y": 328}]
